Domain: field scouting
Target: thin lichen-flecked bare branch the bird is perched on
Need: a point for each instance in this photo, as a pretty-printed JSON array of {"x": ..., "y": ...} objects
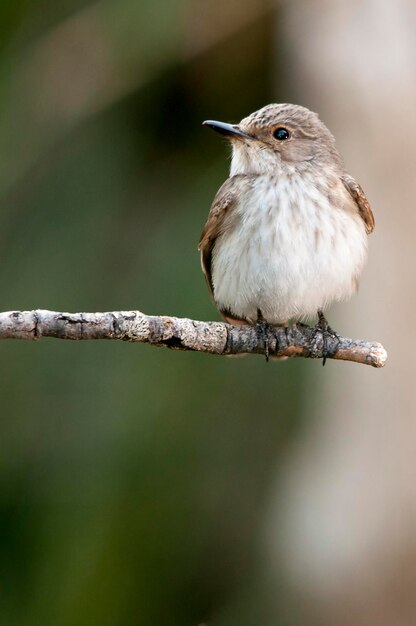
[{"x": 184, "y": 334}]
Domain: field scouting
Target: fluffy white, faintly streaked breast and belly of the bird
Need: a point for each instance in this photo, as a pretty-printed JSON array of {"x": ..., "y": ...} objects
[{"x": 290, "y": 253}]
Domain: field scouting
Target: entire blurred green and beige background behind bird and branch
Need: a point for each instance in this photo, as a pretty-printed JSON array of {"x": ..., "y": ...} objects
[{"x": 147, "y": 487}]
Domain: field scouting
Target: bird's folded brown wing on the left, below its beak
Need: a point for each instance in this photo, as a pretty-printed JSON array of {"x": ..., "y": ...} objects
[{"x": 219, "y": 218}]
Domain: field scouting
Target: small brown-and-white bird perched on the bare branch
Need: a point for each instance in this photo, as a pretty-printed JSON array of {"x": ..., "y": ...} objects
[{"x": 287, "y": 232}]
